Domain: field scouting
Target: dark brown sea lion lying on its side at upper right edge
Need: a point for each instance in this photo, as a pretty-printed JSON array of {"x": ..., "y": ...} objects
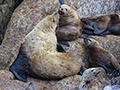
[{"x": 102, "y": 24}]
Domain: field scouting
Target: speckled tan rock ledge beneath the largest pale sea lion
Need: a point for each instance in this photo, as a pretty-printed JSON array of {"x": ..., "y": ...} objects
[{"x": 8, "y": 82}]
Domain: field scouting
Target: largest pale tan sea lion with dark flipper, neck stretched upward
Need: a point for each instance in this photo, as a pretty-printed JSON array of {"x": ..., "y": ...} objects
[{"x": 38, "y": 56}]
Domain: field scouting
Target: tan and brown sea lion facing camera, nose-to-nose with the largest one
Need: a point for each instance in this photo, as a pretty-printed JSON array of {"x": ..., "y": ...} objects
[{"x": 70, "y": 26}]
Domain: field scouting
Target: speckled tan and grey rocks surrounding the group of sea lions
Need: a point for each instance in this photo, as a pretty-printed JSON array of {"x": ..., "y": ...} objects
[{"x": 25, "y": 18}]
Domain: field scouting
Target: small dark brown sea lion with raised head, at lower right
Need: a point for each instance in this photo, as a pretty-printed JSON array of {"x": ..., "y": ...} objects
[{"x": 100, "y": 57}]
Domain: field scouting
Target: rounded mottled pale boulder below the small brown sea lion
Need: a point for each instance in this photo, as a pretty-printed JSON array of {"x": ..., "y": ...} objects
[{"x": 93, "y": 79}]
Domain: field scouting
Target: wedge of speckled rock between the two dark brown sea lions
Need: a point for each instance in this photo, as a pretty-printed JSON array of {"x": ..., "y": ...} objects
[{"x": 110, "y": 43}]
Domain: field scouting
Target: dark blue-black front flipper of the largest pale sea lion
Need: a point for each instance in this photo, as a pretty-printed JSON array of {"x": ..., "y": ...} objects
[{"x": 19, "y": 68}]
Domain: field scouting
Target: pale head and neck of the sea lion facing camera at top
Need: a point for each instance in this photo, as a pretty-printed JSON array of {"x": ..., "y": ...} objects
[{"x": 68, "y": 15}]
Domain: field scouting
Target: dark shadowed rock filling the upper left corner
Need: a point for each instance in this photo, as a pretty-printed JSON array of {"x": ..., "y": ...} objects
[{"x": 6, "y": 9}]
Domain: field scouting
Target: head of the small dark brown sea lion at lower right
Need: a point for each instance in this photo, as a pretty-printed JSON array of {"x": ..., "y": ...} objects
[{"x": 89, "y": 42}]
